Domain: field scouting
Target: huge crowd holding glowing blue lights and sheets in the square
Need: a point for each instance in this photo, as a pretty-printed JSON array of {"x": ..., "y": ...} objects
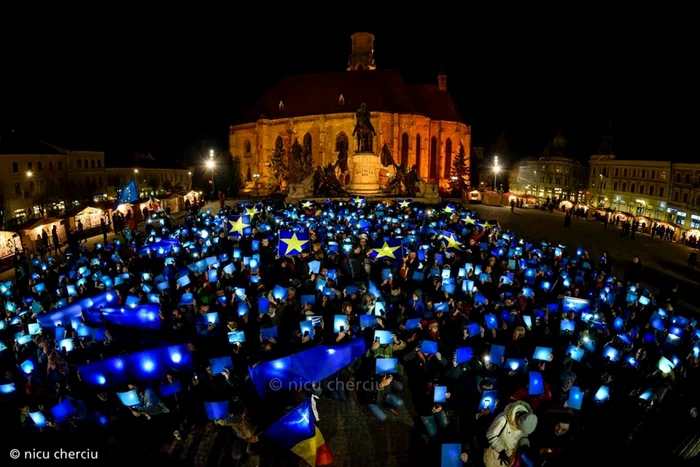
[{"x": 515, "y": 349}]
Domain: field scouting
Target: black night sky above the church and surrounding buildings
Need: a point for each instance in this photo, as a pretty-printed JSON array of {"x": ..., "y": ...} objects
[{"x": 173, "y": 90}]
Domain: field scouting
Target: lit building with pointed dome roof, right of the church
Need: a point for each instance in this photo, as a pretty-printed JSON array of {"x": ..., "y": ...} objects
[{"x": 553, "y": 175}]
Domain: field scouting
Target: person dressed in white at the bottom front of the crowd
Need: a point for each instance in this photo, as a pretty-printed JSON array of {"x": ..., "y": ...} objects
[{"x": 508, "y": 433}]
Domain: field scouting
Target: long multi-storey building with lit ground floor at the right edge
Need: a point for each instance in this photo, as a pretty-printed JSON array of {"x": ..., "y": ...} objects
[{"x": 662, "y": 190}]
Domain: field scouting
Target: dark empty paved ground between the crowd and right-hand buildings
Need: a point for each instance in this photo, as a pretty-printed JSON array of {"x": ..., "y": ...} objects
[{"x": 664, "y": 262}]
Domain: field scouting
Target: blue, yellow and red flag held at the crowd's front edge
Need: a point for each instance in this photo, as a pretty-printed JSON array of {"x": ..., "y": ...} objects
[{"x": 297, "y": 431}]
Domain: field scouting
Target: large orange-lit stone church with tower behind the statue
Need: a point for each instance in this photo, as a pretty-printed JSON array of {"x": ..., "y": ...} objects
[{"x": 417, "y": 124}]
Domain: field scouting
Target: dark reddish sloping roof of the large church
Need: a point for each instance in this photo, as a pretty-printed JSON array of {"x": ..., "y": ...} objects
[{"x": 381, "y": 90}]
